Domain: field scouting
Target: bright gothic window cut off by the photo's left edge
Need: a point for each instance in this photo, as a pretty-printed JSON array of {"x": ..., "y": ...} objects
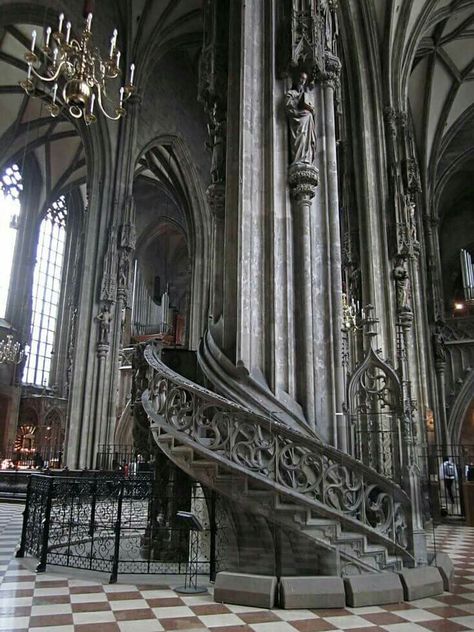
[{"x": 10, "y": 188}]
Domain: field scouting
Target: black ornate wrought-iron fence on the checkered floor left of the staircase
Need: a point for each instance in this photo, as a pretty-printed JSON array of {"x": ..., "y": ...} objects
[{"x": 115, "y": 524}]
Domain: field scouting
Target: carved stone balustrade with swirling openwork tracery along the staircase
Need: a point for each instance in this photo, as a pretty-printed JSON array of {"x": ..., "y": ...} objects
[{"x": 321, "y": 477}]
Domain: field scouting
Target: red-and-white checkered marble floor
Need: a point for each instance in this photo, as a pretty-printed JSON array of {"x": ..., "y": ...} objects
[{"x": 53, "y": 602}]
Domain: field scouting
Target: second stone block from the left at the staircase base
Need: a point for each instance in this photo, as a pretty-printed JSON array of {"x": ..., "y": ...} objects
[{"x": 312, "y": 592}]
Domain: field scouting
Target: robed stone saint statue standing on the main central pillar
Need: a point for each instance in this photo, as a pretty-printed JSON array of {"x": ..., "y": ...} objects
[{"x": 300, "y": 113}]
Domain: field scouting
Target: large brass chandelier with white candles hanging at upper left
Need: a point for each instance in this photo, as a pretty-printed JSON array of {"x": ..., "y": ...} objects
[{"x": 76, "y": 69}]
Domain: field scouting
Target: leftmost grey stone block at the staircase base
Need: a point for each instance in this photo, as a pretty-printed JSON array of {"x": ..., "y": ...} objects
[{"x": 245, "y": 589}]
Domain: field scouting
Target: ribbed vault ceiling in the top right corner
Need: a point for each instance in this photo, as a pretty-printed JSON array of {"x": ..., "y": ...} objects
[{"x": 431, "y": 61}]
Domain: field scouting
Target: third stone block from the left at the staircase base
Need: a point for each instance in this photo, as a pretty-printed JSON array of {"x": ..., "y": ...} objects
[{"x": 373, "y": 590}]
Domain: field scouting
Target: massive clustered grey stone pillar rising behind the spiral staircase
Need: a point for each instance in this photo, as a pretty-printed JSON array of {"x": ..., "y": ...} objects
[{"x": 277, "y": 289}]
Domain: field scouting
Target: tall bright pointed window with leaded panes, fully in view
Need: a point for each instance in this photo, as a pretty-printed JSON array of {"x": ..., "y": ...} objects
[{"x": 46, "y": 293}]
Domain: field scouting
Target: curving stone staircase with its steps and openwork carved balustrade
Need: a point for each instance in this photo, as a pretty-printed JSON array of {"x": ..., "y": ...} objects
[{"x": 361, "y": 519}]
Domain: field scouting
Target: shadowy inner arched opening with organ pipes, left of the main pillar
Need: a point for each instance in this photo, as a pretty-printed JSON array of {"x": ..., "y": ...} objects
[{"x": 161, "y": 293}]
